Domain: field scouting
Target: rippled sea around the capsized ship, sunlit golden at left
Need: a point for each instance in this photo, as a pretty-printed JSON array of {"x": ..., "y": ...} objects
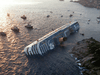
[{"x": 58, "y": 61}]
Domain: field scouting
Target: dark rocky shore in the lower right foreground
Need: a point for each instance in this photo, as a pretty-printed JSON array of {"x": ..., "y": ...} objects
[{"x": 87, "y": 53}]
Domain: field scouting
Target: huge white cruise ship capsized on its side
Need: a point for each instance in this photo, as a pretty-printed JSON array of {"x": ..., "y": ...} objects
[{"x": 51, "y": 40}]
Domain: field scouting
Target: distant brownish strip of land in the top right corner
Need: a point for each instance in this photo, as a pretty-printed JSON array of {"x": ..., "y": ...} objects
[{"x": 90, "y": 3}]
